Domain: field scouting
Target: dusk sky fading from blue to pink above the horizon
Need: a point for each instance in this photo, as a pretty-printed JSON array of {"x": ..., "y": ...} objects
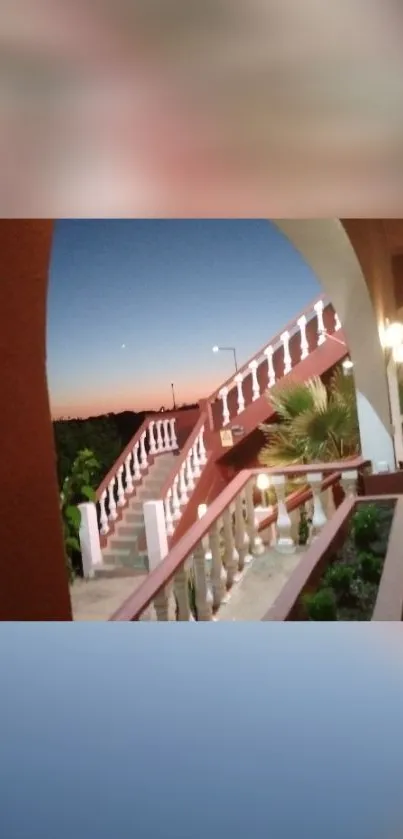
[{"x": 168, "y": 290}]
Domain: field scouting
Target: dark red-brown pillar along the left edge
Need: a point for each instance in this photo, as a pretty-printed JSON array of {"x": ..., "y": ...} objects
[{"x": 34, "y": 583}]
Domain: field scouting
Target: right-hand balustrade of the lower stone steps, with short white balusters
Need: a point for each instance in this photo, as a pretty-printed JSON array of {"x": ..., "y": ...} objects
[{"x": 182, "y": 481}]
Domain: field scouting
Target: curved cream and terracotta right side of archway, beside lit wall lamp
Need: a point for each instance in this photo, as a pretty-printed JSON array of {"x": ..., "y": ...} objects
[{"x": 351, "y": 261}]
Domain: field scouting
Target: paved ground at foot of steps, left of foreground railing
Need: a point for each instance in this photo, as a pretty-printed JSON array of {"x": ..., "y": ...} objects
[{"x": 98, "y": 599}]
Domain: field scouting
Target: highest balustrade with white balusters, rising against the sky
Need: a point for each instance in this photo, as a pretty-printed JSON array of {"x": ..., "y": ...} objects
[{"x": 302, "y": 335}]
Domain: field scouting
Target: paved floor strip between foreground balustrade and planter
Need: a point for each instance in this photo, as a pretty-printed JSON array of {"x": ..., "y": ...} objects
[{"x": 259, "y": 586}]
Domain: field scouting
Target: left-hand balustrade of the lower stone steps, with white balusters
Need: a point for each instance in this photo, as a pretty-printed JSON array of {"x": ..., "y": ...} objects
[{"x": 155, "y": 437}]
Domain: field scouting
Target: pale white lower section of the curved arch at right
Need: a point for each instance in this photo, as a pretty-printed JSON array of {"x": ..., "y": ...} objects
[{"x": 376, "y": 440}]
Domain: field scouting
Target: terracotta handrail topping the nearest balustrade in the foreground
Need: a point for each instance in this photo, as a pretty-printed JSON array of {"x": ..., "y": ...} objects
[{"x": 136, "y": 604}]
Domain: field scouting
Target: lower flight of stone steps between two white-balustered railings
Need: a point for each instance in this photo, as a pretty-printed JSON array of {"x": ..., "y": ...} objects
[{"x": 126, "y": 554}]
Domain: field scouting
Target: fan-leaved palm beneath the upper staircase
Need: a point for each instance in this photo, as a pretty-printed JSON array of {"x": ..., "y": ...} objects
[{"x": 315, "y": 423}]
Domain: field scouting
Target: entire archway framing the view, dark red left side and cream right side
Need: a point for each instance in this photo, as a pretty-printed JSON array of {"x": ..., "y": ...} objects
[{"x": 34, "y": 584}]
